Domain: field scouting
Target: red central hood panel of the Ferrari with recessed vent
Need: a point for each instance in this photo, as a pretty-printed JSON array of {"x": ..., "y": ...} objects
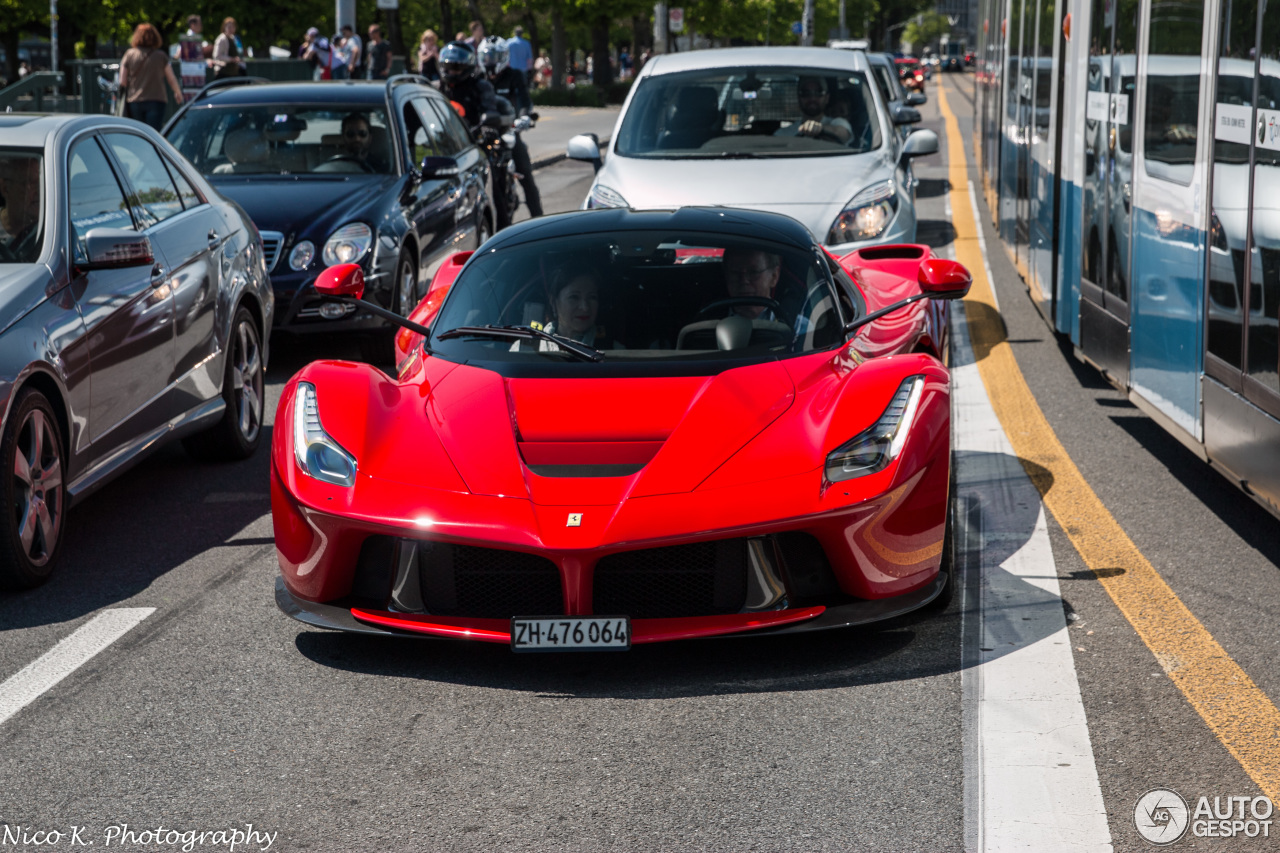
[{"x": 676, "y": 430}]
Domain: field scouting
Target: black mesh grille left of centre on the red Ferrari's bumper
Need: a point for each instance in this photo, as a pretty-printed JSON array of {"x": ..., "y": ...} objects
[{"x": 487, "y": 583}]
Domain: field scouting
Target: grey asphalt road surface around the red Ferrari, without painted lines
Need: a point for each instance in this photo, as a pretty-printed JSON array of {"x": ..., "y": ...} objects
[{"x": 217, "y": 711}]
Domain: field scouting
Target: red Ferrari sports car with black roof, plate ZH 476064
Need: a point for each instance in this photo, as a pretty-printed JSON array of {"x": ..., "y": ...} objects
[{"x": 611, "y": 428}]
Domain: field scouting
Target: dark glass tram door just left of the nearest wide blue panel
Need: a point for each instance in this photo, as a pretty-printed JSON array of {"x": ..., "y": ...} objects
[{"x": 1109, "y": 186}]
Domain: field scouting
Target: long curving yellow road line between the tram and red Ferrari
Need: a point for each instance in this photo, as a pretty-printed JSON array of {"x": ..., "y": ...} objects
[{"x": 1235, "y": 708}]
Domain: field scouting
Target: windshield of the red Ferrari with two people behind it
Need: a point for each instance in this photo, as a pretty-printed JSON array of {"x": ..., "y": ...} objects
[{"x": 642, "y": 295}]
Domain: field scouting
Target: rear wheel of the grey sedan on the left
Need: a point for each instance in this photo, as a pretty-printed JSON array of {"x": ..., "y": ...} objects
[{"x": 239, "y": 432}]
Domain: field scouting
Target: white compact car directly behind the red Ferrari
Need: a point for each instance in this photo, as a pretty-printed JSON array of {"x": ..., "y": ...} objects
[{"x": 799, "y": 131}]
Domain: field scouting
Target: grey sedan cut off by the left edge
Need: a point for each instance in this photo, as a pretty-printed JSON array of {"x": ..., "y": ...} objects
[{"x": 135, "y": 307}]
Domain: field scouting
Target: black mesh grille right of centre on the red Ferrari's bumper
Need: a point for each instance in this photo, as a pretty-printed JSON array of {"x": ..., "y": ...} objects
[{"x": 700, "y": 580}]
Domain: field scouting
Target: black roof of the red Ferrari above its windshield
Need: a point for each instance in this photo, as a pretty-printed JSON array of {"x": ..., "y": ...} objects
[{"x": 721, "y": 221}]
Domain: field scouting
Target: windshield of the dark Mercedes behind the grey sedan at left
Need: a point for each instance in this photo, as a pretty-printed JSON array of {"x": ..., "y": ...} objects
[{"x": 286, "y": 139}]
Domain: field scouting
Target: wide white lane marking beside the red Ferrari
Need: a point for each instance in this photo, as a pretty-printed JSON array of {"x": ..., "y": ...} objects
[{"x": 1031, "y": 779}]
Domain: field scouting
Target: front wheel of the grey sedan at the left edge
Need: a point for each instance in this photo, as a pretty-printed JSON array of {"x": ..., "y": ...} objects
[{"x": 34, "y": 500}]
